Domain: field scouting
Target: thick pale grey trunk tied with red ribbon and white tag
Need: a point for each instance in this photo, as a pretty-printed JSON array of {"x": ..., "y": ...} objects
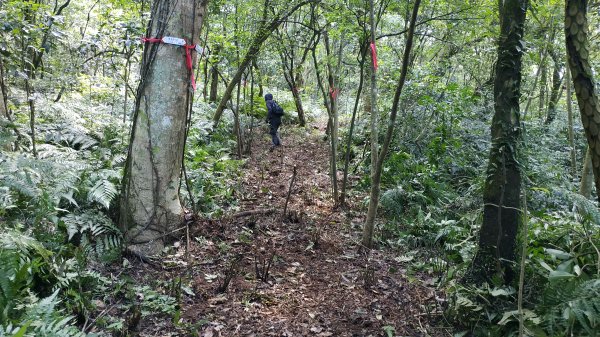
[{"x": 150, "y": 204}]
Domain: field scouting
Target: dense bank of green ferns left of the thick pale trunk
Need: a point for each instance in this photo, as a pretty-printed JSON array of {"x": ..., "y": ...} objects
[{"x": 55, "y": 224}]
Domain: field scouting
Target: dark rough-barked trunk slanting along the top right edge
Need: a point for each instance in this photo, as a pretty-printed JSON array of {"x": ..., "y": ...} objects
[{"x": 576, "y": 32}]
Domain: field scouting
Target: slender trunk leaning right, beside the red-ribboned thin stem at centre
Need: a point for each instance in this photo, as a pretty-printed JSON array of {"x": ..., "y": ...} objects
[{"x": 367, "y": 238}]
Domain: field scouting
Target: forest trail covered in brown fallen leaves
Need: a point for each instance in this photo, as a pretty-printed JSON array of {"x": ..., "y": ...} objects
[{"x": 315, "y": 283}]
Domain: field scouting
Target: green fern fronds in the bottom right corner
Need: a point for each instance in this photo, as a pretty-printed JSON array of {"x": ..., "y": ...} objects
[{"x": 572, "y": 307}]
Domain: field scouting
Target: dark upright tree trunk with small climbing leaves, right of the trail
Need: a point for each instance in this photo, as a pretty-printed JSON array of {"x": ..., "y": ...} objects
[{"x": 501, "y": 195}]
